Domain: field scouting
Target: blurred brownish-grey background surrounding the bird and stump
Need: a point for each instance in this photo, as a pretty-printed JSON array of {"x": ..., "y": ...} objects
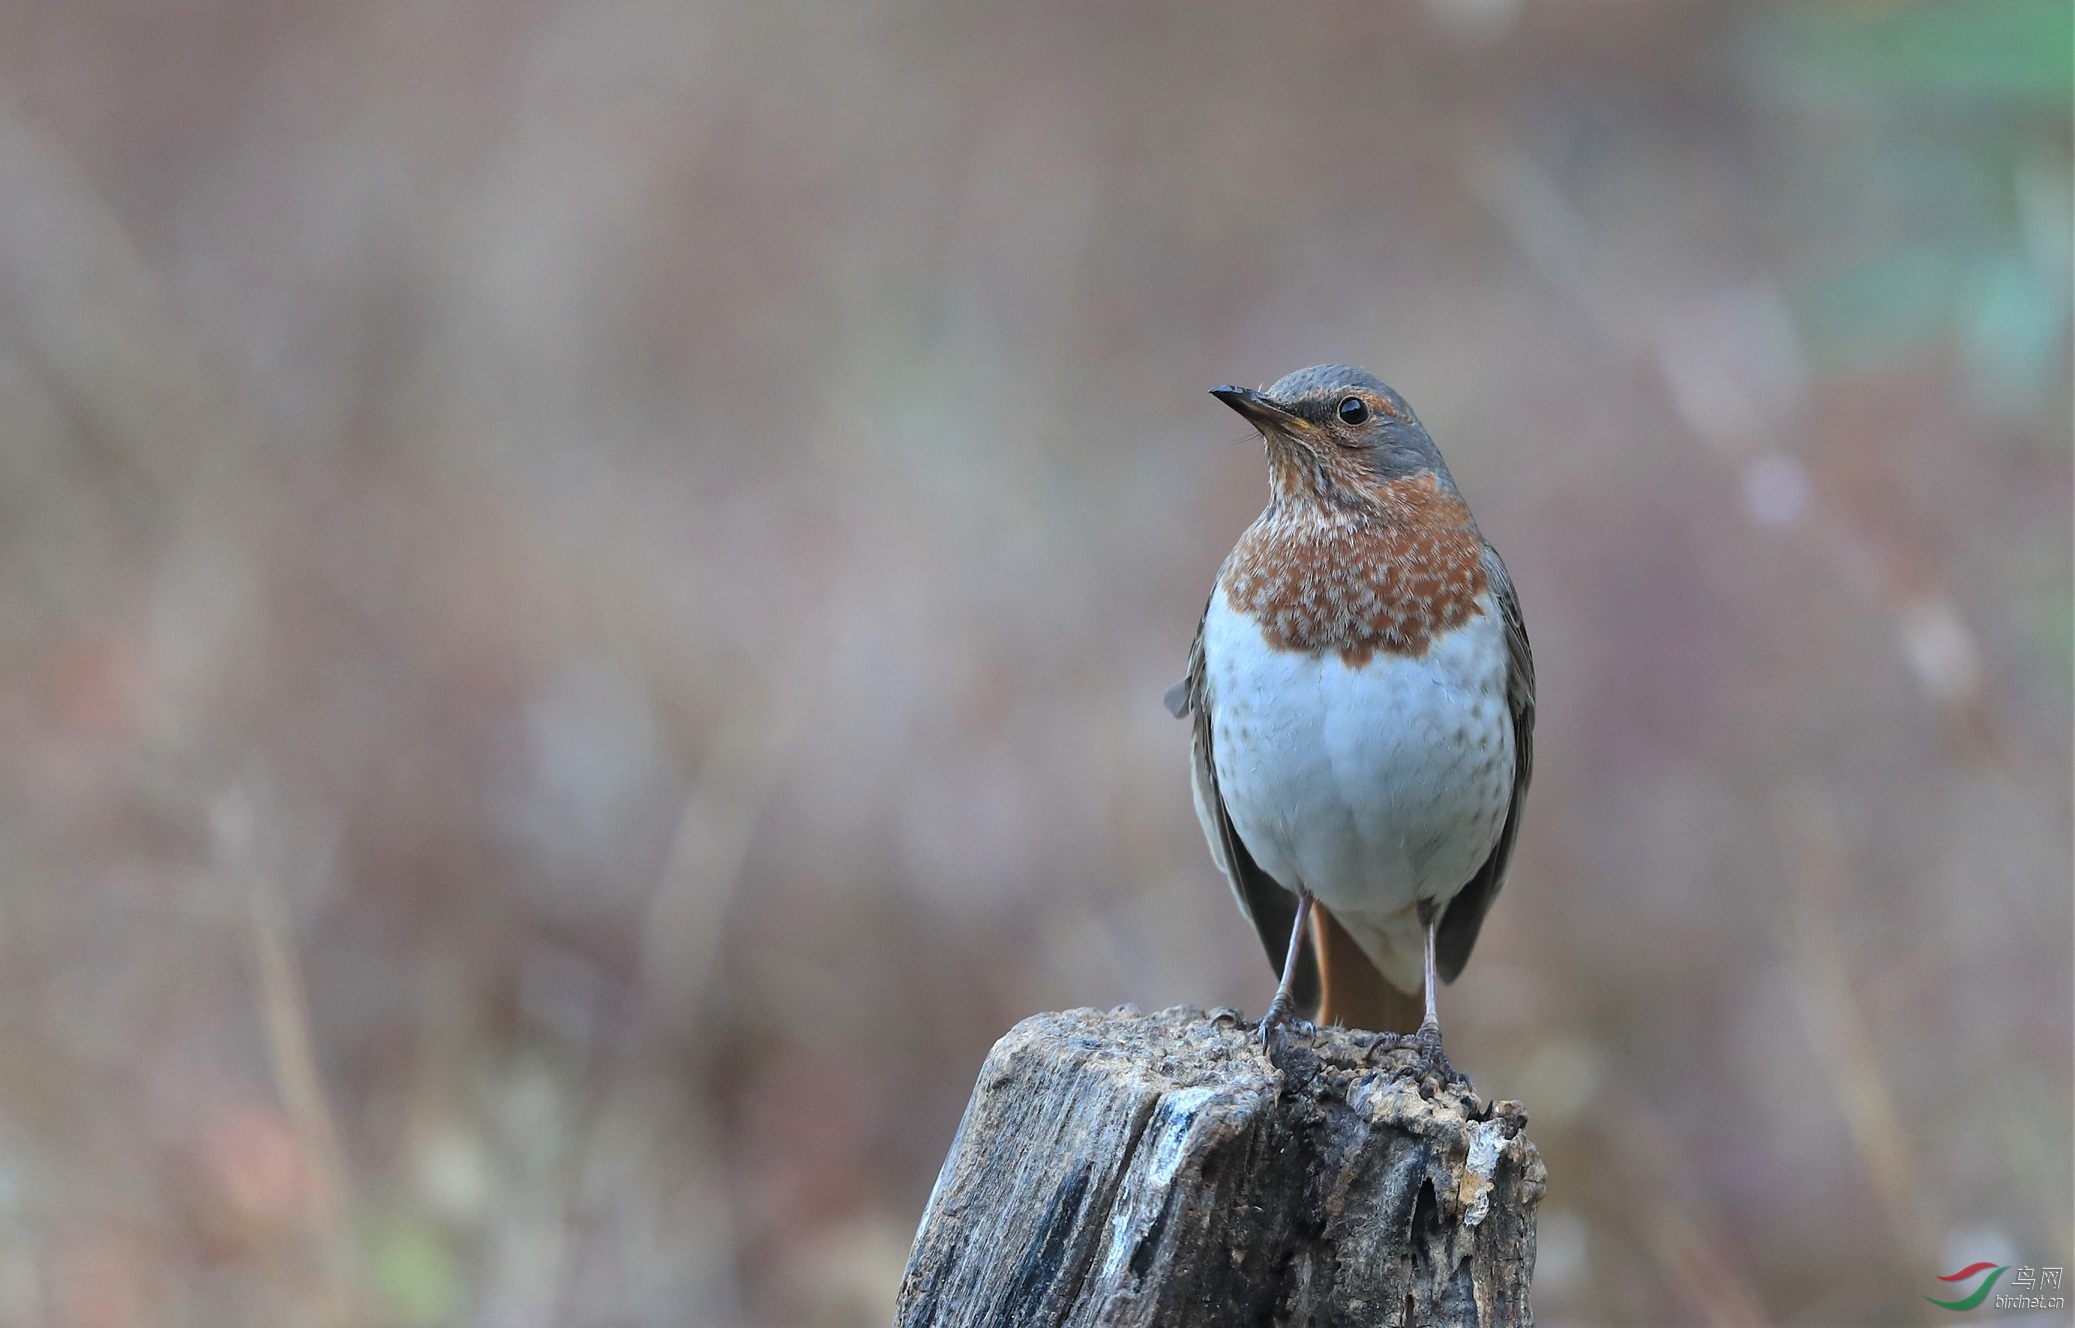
[{"x": 586, "y": 588}]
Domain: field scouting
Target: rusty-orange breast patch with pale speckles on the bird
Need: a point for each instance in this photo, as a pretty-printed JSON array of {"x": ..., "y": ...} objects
[{"x": 1381, "y": 568}]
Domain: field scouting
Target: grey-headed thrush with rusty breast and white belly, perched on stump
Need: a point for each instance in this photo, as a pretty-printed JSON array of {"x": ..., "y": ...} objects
[{"x": 1364, "y": 704}]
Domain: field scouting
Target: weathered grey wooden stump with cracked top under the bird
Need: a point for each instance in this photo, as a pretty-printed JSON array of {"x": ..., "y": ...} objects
[{"x": 1159, "y": 1169}]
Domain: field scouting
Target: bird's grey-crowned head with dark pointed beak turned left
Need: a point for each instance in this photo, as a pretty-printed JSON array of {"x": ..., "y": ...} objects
[{"x": 1335, "y": 431}]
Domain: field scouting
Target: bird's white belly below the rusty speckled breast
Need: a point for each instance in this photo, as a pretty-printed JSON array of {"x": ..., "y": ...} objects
[{"x": 1371, "y": 787}]
